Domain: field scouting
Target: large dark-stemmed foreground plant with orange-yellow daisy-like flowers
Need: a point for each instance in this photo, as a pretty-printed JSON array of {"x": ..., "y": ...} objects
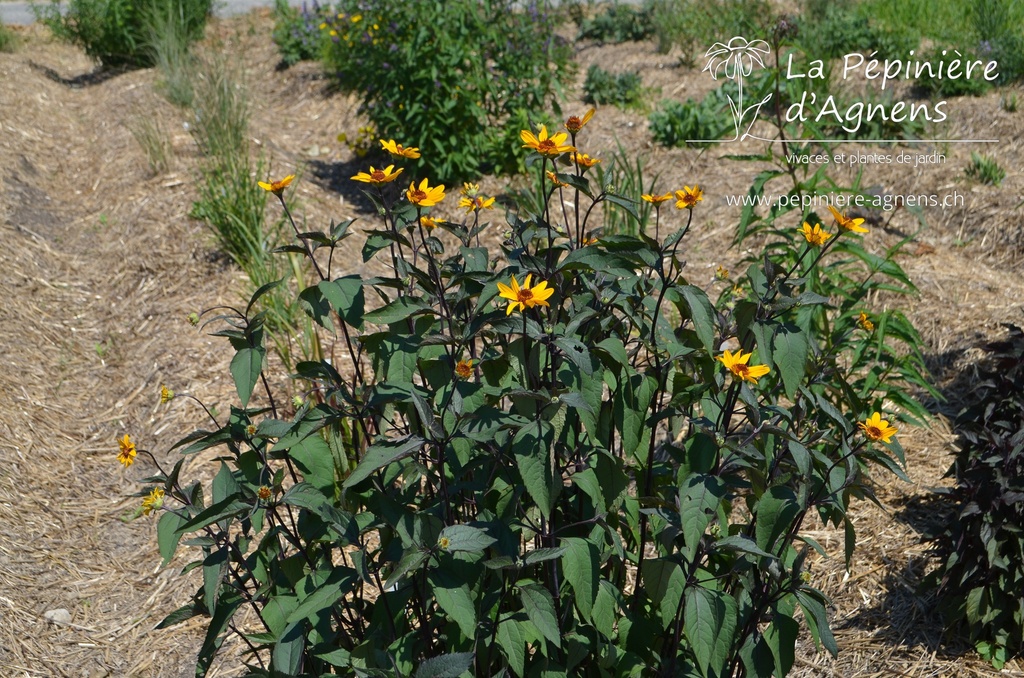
[{"x": 538, "y": 460}]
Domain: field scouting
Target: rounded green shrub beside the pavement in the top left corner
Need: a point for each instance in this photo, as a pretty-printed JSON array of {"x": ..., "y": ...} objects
[{"x": 116, "y": 32}]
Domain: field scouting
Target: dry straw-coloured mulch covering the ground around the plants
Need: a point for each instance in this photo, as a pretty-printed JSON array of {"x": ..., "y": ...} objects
[{"x": 103, "y": 265}]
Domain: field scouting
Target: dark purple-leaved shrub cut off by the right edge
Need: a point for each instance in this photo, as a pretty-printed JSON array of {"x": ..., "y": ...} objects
[{"x": 982, "y": 581}]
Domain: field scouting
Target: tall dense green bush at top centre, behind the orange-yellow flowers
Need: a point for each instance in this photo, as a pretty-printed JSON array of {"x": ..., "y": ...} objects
[{"x": 449, "y": 91}]
